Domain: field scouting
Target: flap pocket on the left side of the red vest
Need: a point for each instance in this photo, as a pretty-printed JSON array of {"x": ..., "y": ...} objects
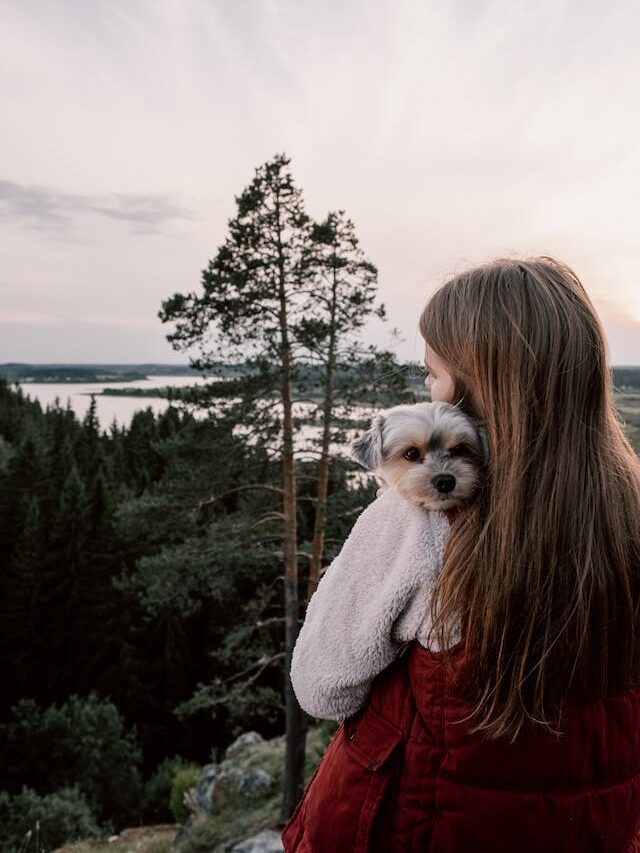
[{"x": 343, "y": 798}]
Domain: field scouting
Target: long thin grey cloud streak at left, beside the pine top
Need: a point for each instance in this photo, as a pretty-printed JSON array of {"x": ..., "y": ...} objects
[{"x": 41, "y": 207}]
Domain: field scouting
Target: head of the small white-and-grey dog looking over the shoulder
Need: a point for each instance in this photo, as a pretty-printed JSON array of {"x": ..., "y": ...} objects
[{"x": 431, "y": 452}]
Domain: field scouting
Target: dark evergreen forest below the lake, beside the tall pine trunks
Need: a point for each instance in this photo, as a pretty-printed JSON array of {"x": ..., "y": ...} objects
[{"x": 141, "y": 615}]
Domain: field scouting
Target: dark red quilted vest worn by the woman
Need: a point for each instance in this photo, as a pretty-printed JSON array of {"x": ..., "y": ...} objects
[{"x": 404, "y": 775}]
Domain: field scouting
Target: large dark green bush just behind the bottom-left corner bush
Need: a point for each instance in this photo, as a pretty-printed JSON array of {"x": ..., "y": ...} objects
[{"x": 83, "y": 743}]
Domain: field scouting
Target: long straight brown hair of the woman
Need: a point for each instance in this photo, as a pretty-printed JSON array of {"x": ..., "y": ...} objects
[{"x": 543, "y": 569}]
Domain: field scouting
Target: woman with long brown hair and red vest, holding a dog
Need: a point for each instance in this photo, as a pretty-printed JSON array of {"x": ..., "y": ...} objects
[{"x": 523, "y": 735}]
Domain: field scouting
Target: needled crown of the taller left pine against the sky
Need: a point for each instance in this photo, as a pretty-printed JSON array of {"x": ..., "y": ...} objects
[{"x": 246, "y": 306}]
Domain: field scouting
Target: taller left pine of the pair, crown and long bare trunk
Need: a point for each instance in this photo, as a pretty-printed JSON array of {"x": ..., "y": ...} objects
[{"x": 255, "y": 292}]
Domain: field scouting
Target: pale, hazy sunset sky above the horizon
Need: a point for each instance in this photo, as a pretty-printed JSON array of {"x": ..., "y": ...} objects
[{"x": 450, "y": 132}]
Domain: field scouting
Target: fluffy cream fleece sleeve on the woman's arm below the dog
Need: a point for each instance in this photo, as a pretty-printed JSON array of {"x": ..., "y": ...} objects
[{"x": 372, "y": 599}]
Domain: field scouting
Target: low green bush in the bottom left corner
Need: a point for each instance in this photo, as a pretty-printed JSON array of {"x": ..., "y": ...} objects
[{"x": 30, "y": 822}]
